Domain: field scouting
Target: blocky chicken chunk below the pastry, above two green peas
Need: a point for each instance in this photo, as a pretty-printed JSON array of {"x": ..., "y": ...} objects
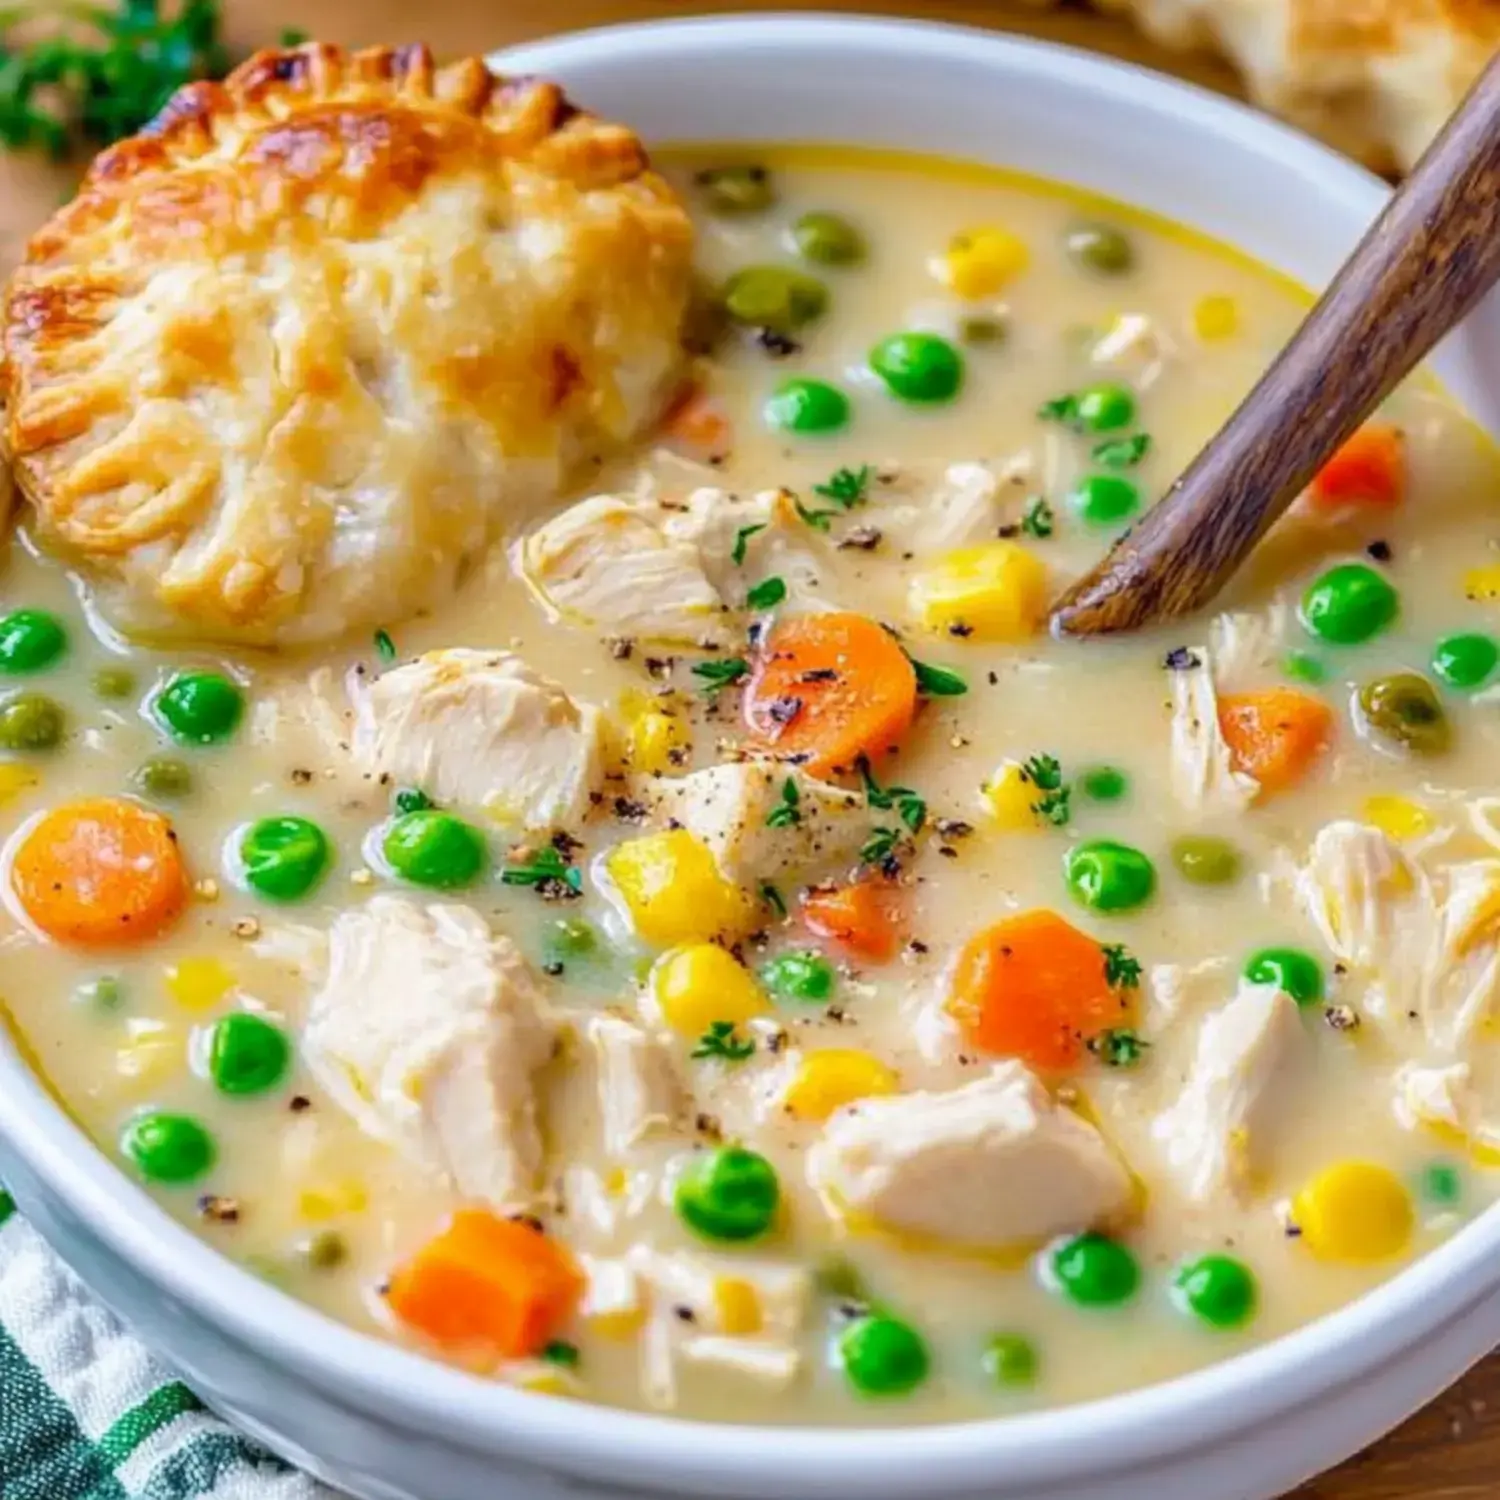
[{"x": 482, "y": 730}]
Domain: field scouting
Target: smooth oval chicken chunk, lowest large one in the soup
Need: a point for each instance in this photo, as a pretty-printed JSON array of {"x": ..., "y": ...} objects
[{"x": 991, "y": 1165}]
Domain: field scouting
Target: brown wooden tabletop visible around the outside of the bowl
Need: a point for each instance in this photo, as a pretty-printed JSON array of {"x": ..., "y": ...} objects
[{"x": 1453, "y": 1450}]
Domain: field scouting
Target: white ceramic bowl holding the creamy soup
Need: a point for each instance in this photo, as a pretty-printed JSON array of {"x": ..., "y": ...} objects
[{"x": 389, "y": 1426}]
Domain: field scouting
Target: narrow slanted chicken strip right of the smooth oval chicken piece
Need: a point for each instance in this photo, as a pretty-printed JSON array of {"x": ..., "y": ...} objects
[{"x": 1217, "y": 1136}]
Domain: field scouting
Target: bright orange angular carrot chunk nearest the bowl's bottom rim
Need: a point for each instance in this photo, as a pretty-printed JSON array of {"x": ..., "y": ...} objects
[{"x": 488, "y": 1282}]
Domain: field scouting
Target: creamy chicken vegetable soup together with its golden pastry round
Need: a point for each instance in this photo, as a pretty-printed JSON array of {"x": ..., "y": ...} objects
[{"x": 722, "y": 956}]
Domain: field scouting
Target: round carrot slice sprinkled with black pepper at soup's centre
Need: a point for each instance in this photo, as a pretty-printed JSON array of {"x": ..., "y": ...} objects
[{"x": 830, "y": 689}]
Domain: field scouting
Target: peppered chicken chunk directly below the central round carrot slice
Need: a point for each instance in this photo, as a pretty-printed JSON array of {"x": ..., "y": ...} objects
[{"x": 728, "y": 808}]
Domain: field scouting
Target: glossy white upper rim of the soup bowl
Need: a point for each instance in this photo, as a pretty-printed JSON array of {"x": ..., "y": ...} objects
[{"x": 419, "y": 1394}]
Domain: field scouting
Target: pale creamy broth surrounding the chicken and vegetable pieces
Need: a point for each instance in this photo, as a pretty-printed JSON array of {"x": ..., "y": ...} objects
[{"x": 310, "y": 1201}]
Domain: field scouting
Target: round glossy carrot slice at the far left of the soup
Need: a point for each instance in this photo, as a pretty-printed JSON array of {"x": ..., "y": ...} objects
[{"x": 101, "y": 872}]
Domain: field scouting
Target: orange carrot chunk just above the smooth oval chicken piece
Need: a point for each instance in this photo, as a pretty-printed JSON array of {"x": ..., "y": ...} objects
[{"x": 1036, "y": 988}]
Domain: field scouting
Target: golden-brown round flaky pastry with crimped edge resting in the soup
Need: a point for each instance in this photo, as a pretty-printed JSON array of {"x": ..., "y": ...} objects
[{"x": 295, "y": 356}]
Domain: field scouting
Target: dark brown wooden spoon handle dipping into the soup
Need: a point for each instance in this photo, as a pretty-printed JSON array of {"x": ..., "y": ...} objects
[{"x": 1427, "y": 260}]
